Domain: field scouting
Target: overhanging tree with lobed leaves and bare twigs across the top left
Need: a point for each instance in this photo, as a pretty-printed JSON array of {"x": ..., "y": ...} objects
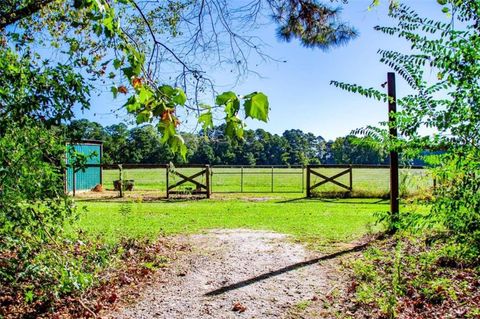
[{"x": 90, "y": 33}]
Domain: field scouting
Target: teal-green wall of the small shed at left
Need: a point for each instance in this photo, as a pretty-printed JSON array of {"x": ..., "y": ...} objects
[{"x": 88, "y": 177}]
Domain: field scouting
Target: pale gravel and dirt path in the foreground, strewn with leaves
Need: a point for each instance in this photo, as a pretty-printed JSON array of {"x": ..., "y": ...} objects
[{"x": 234, "y": 274}]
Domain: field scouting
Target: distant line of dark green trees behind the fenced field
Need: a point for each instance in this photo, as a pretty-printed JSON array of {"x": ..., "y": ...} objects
[{"x": 259, "y": 147}]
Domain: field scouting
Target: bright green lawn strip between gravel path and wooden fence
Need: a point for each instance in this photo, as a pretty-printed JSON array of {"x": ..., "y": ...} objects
[{"x": 317, "y": 222}]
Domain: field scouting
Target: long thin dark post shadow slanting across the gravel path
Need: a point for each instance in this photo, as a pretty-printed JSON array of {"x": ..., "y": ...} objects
[{"x": 283, "y": 270}]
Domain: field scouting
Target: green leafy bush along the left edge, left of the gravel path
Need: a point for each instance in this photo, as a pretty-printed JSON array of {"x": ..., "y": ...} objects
[{"x": 33, "y": 211}]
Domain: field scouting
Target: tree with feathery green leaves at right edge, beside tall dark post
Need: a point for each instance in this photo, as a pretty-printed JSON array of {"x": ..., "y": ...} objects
[{"x": 450, "y": 106}]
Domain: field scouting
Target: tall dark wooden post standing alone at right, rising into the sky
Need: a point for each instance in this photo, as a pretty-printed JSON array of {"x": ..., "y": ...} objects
[{"x": 392, "y": 109}]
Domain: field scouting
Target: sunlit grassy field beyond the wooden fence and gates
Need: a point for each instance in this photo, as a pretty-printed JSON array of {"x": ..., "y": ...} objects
[{"x": 366, "y": 182}]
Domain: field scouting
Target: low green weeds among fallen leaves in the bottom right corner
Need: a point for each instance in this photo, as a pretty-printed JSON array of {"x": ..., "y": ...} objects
[{"x": 404, "y": 277}]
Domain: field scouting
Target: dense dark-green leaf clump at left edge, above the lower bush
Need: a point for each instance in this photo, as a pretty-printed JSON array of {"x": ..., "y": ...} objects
[{"x": 46, "y": 93}]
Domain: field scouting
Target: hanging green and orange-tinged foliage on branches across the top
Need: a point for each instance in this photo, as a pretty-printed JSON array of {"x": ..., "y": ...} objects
[{"x": 94, "y": 38}]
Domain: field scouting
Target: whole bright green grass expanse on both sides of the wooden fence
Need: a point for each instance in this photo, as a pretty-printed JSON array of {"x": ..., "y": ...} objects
[{"x": 317, "y": 222}]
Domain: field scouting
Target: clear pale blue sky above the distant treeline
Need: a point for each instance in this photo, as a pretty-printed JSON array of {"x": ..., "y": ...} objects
[{"x": 299, "y": 90}]
